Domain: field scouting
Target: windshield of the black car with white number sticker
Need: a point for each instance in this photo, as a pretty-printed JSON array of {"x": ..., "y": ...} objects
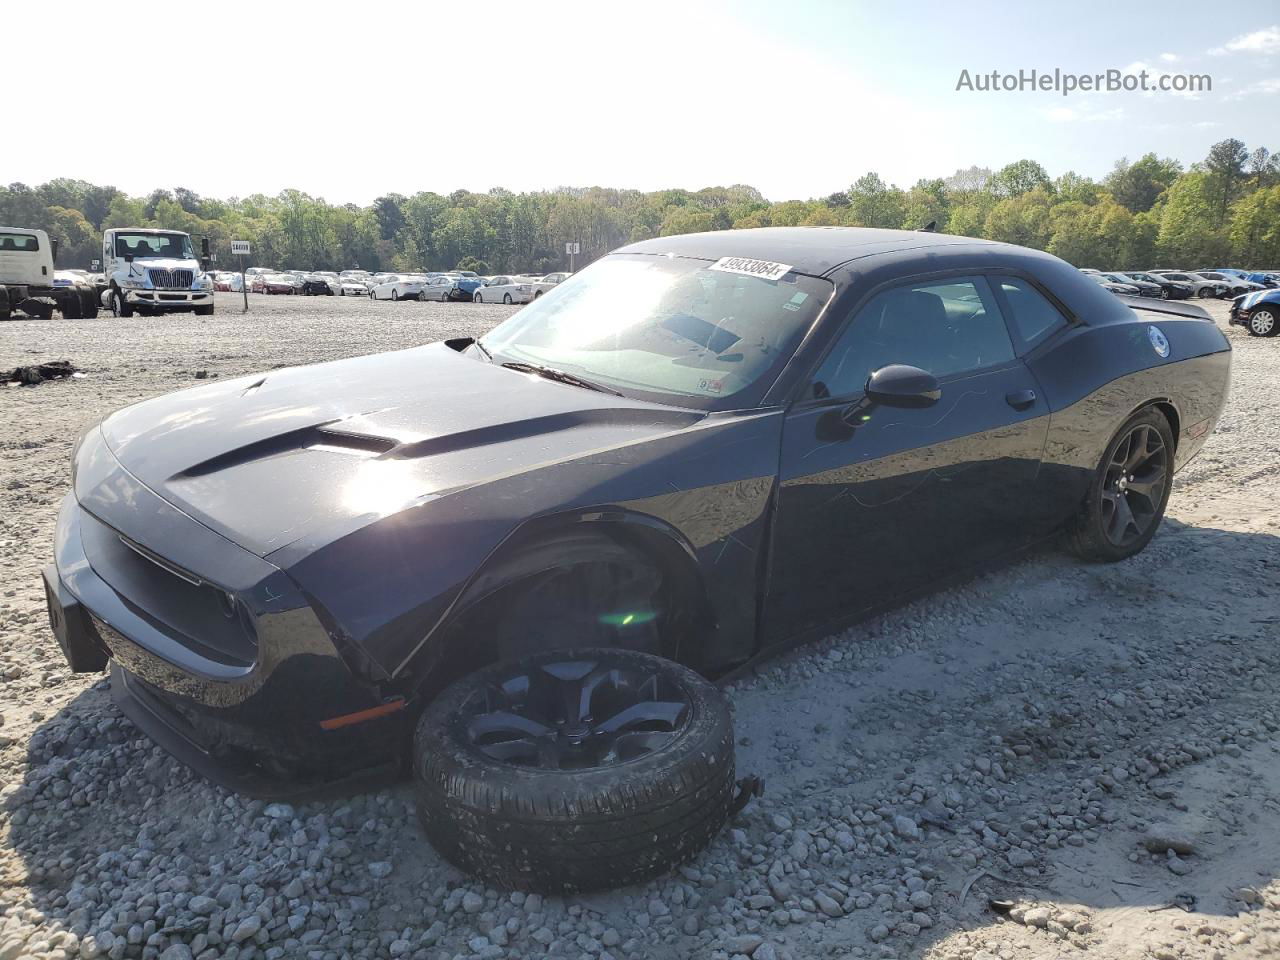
[{"x": 666, "y": 326}]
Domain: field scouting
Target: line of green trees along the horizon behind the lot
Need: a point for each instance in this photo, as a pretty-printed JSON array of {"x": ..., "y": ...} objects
[{"x": 1151, "y": 212}]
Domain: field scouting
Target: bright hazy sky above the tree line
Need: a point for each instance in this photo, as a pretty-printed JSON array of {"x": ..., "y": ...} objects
[{"x": 349, "y": 102}]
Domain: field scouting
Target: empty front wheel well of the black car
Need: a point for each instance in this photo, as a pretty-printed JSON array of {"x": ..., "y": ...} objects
[{"x": 463, "y": 644}]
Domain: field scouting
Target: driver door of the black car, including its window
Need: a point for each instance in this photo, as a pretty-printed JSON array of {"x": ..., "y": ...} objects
[{"x": 879, "y": 501}]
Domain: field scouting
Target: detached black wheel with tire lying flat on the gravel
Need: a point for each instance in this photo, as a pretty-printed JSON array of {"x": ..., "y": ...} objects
[{"x": 575, "y": 770}]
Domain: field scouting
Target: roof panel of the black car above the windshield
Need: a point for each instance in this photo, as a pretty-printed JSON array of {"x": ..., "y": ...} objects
[{"x": 810, "y": 250}]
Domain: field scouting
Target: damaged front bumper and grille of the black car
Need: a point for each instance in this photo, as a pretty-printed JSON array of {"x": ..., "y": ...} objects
[{"x": 249, "y": 702}]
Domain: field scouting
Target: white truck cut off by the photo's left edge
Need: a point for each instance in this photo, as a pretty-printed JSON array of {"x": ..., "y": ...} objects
[{"x": 30, "y": 285}]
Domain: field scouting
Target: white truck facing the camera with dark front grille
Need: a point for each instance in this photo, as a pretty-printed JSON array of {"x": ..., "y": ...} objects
[{"x": 156, "y": 272}]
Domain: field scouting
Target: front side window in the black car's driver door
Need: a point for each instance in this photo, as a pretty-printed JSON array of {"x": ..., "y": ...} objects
[{"x": 944, "y": 327}]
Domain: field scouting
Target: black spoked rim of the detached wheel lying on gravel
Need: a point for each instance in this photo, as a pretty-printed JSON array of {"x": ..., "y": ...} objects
[{"x": 574, "y": 714}]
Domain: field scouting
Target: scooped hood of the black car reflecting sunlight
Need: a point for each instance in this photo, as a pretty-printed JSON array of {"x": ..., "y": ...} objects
[{"x": 318, "y": 452}]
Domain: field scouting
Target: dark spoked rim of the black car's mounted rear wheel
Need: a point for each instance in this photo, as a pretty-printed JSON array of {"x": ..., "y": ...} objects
[{"x": 1133, "y": 488}]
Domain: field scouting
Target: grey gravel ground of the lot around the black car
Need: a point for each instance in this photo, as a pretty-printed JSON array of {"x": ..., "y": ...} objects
[{"x": 1096, "y": 747}]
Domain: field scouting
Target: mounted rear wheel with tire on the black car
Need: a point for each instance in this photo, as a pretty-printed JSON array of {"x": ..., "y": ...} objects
[{"x": 1130, "y": 492}]
